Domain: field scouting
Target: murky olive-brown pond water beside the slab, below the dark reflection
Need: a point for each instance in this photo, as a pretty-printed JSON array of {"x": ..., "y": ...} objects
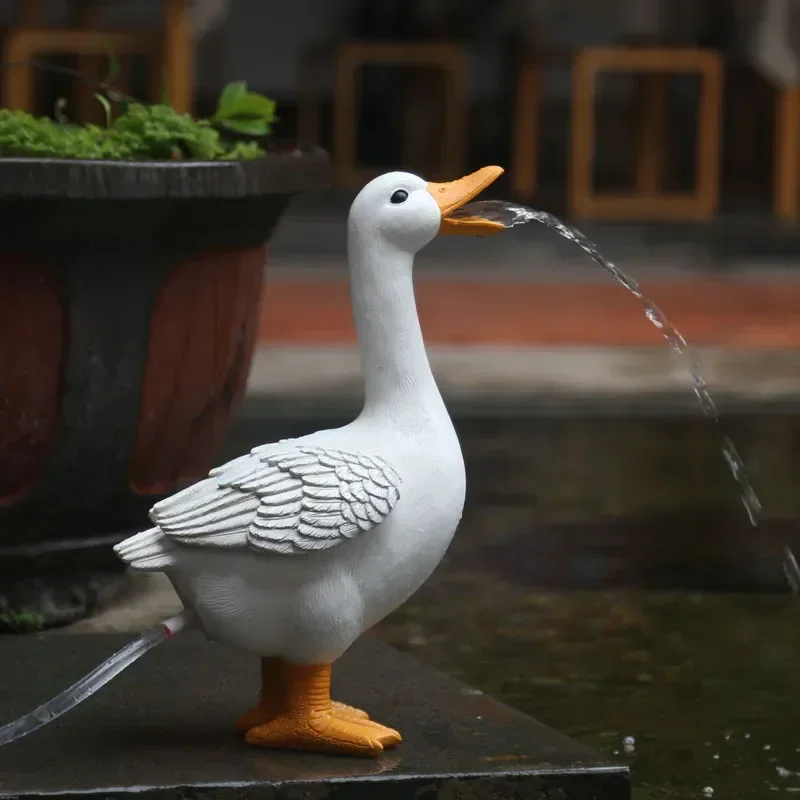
[{"x": 699, "y": 693}]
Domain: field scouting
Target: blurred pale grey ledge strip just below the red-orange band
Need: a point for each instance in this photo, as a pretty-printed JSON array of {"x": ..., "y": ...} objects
[{"x": 307, "y": 378}]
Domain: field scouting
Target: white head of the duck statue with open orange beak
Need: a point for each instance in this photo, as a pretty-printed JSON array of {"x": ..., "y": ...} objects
[{"x": 407, "y": 212}]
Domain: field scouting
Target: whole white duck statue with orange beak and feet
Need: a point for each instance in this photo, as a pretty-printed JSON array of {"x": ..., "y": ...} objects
[{"x": 292, "y": 551}]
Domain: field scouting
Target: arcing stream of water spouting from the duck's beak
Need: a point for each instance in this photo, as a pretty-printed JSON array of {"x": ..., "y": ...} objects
[{"x": 511, "y": 215}]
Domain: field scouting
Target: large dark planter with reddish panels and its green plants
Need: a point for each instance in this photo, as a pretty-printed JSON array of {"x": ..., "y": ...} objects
[{"x": 131, "y": 265}]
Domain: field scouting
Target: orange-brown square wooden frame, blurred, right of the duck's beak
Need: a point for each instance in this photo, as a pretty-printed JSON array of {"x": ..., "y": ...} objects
[{"x": 648, "y": 201}]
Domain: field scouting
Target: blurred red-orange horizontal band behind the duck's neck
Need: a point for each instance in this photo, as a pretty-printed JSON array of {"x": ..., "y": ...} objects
[{"x": 707, "y": 312}]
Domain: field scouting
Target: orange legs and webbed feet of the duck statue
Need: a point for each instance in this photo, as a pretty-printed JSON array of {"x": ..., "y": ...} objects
[{"x": 307, "y": 719}]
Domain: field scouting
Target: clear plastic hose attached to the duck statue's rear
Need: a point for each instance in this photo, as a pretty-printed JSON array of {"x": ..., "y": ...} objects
[{"x": 96, "y": 679}]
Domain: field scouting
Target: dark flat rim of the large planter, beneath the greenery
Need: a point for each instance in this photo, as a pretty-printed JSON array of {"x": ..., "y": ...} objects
[{"x": 283, "y": 173}]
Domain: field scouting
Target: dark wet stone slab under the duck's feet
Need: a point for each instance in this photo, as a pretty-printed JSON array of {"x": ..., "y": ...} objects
[{"x": 162, "y": 730}]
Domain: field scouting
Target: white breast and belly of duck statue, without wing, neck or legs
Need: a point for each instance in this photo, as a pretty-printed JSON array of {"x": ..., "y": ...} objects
[{"x": 309, "y": 609}]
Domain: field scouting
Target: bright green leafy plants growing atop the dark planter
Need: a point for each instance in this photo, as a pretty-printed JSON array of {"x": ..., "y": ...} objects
[{"x": 144, "y": 132}]
